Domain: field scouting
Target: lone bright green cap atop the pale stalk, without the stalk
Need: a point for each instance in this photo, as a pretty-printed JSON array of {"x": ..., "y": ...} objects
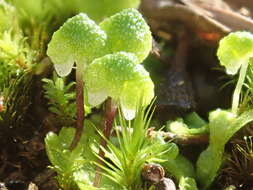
[{"x": 234, "y": 50}]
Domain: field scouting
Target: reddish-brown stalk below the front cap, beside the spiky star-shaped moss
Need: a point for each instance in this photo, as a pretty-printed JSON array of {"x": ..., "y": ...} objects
[{"x": 110, "y": 113}]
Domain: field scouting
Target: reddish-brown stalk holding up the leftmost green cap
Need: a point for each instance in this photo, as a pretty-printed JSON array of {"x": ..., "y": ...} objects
[{"x": 79, "y": 106}]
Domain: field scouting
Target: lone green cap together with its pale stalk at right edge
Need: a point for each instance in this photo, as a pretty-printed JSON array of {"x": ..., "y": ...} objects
[{"x": 235, "y": 52}]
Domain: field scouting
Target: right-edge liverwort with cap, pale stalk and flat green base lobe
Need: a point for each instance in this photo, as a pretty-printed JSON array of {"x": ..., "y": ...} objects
[{"x": 234, "y": 52}]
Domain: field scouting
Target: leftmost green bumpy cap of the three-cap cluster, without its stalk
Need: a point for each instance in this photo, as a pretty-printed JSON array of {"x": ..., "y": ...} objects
[{"x": 79, "y": 40}]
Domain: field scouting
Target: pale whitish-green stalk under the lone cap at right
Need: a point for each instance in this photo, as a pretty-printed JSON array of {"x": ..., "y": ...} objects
[{"x": 236, "y": 95}]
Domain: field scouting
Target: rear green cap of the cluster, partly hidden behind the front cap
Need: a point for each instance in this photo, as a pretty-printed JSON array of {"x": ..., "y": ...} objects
[{"x": 127, "y": 31}]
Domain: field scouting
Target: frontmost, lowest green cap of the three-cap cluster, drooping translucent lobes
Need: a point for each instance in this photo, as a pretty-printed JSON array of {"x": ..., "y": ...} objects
[{"x": 119, "y": 77}]
